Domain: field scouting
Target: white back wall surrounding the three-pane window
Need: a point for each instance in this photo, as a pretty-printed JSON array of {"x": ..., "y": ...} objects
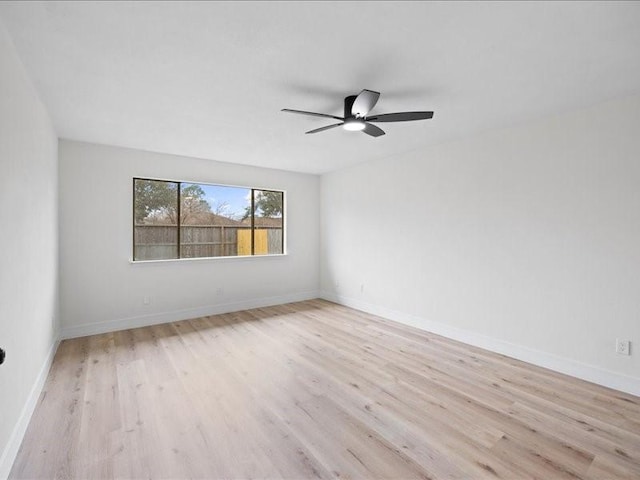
[{"x": 102, "y": 290}]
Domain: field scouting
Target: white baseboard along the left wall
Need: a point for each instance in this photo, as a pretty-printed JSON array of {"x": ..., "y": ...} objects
[{"x": 13, "y": 445}]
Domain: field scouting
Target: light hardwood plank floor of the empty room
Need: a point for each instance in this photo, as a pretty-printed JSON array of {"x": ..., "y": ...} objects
[{"x": 317, "y": 390}]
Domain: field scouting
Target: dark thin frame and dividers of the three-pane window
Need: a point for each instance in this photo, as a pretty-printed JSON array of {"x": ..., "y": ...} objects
[{"x": 179, "y": 184}]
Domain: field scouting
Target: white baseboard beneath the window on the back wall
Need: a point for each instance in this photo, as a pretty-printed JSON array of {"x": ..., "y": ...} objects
[{"x": 174, "y": 316}]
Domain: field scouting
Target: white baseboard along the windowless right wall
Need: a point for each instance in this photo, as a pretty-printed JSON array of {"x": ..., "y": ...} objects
[{"x": 556, "y": 363}]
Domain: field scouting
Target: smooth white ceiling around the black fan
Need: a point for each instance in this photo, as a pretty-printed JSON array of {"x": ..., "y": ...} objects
[{"x": 208, "y": 79}]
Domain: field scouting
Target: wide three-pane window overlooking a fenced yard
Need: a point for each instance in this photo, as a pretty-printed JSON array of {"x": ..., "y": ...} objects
[{"x": 194, "y": 220}]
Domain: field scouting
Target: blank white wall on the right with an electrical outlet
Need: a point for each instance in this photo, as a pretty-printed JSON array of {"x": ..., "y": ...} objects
[{"x": 524, "y": 240}]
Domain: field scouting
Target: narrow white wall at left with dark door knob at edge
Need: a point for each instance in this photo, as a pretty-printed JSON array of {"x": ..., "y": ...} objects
[{"x": 28, "y": 248}]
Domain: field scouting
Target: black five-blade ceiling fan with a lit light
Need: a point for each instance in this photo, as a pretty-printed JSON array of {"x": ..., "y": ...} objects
[{"x": 356, "y": 109}]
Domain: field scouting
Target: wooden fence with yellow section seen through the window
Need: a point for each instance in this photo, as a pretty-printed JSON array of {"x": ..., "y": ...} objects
[{"x": 153, "y": 242}]
